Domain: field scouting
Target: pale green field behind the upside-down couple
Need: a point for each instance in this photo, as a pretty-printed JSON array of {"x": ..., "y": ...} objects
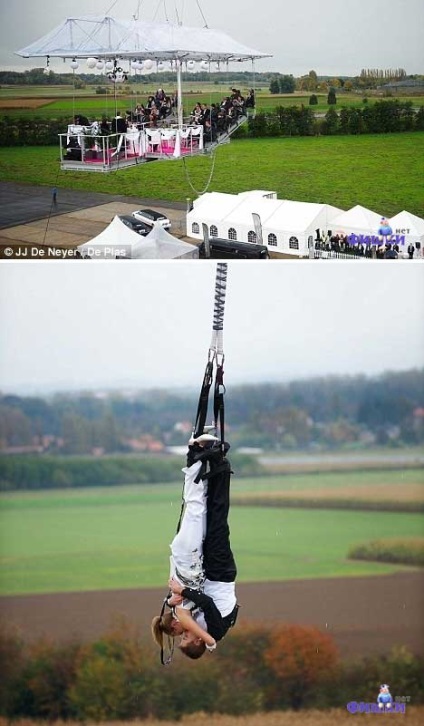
[{"x": 118, "y": 538}]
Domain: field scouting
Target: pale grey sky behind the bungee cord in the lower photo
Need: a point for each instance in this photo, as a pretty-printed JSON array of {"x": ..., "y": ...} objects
[{"x": 82, "y": 325}]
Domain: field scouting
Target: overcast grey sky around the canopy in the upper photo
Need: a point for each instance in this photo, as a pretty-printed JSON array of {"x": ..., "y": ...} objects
[{"x": 330, "y": 36}]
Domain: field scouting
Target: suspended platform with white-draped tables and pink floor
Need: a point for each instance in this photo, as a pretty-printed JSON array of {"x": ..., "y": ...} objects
[{"x": 82, "y": 148}]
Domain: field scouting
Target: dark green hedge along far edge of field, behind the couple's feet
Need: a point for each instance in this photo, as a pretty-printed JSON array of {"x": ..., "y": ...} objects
[{"x": 56, "y": 472}]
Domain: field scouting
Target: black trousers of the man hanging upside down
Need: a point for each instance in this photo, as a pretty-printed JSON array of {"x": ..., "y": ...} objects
[{"x": 218, "y": 559}]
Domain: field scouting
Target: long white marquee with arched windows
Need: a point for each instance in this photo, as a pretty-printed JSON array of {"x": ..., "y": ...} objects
[{"x": 288, "y": 227}]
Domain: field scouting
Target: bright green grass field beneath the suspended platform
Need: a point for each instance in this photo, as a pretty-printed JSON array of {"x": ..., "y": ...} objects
[{"x": 382, "y": 172}]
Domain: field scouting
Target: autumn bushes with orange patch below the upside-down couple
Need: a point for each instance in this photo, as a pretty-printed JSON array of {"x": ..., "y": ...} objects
[{"x": 118, "y": 677}]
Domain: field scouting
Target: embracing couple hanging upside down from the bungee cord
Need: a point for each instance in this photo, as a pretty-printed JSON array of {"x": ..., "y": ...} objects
[{"x": 203, "y": 600}]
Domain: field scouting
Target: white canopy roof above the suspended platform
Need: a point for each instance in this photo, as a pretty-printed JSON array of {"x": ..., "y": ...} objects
[{"x": 107, "y": 37}]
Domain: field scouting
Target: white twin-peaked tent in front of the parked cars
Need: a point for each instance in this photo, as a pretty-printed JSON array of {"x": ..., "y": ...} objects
[{"x": 118, "y": 240}]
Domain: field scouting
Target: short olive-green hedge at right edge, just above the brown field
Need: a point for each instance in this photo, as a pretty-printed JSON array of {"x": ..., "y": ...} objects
[{"x": 403, "y": 551}]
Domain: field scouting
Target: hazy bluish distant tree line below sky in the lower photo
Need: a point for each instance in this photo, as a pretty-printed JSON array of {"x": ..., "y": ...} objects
[{"x": 328, "y": 411}]
